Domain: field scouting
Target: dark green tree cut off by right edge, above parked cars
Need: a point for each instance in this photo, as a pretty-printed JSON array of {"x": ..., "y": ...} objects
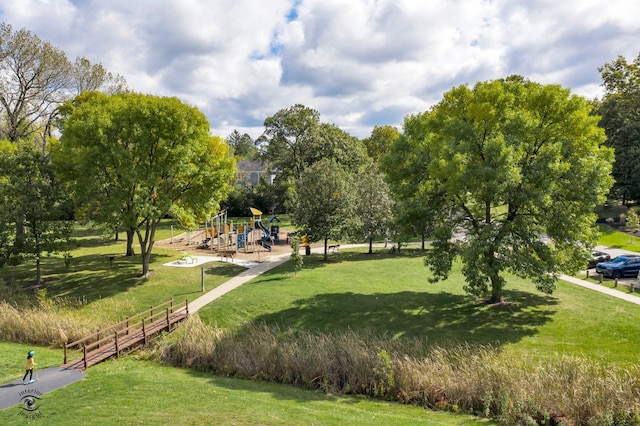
[{"x": 620, "y": 112}]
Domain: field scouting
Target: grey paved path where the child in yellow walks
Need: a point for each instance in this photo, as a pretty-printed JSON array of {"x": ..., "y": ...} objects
[{"x": 49, "y": 379}]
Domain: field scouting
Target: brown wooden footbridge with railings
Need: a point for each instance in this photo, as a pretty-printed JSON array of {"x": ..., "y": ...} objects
[{"x": 125, "y": 335}]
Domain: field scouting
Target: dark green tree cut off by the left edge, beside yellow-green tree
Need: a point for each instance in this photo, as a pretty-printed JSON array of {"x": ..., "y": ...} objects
[{"x": 29, "y": 191}]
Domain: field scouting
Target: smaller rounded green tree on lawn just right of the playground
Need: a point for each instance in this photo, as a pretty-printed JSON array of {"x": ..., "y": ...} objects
[{"x": 325, "y": 203}]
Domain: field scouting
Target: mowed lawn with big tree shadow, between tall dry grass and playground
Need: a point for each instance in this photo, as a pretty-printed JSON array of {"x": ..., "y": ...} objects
[{"x": 390, "y": 294}]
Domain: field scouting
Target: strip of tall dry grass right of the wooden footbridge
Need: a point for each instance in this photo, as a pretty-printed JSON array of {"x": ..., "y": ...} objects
[{"x": 479, "y": 380}]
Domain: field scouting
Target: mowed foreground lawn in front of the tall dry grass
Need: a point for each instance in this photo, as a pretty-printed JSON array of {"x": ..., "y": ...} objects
[{"x": 131, "y": 391}]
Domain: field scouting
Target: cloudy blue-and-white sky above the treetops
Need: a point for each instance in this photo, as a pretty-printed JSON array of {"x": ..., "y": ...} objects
[{"x": 359, "y": 63}]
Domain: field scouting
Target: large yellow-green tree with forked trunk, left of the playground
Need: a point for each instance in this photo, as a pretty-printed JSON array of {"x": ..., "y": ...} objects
[{"x": 132, "y": 159}]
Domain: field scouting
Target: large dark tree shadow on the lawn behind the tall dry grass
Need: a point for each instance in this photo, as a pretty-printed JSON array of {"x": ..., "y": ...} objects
[{"x": 441, "y": 318}]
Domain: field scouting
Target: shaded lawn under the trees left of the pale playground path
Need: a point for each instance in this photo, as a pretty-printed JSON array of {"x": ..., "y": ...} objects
[{"x": 94, "y": 286}]
